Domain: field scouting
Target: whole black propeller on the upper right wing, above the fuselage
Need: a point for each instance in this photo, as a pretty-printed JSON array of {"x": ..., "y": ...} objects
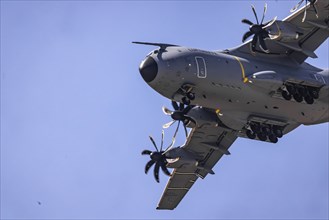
[{"x": 258, "y": 30}]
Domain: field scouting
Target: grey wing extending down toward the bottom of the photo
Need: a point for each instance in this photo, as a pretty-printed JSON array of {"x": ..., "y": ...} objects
[{"x": 209, "y": 142}]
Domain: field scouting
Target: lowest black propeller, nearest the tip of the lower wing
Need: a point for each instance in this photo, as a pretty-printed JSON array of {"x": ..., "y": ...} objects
[{"x": 158, "y": 158}]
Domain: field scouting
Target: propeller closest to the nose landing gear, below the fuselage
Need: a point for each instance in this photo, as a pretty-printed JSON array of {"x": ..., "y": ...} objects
[{"x": 179, "y": 114}]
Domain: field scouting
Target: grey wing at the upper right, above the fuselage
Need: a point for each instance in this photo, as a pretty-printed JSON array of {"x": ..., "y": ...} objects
[{"x": 315, "y": 30}]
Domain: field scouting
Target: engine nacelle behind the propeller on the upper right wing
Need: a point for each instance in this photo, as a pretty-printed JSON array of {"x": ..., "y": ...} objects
[{"x": 284, "y": 31}]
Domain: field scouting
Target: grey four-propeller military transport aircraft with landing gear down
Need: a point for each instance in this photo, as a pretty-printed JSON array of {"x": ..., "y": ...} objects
[{"x": 260, "y": 90}]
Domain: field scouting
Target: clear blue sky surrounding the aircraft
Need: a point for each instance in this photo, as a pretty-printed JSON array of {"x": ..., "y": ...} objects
[{"x": 76, "y": 114}]
